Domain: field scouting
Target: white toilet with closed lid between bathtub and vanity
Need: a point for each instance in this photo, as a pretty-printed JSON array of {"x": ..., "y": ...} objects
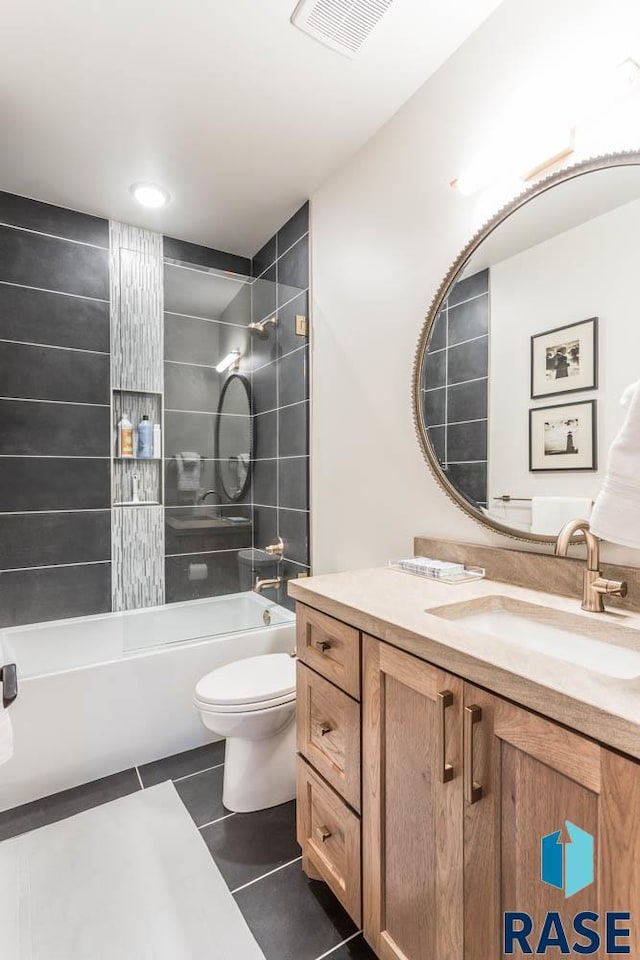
[{"x": 252, "y": 703}]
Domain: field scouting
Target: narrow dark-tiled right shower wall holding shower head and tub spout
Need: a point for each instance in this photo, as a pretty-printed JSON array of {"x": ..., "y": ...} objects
[{"x": 280, "y": 379}]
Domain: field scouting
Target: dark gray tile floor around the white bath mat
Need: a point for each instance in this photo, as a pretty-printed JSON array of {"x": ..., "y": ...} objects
[{"x": 291, "y": 917}]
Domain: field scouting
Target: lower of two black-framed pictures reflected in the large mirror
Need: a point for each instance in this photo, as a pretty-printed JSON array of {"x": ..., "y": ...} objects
[{"x": 563, "y": 437}]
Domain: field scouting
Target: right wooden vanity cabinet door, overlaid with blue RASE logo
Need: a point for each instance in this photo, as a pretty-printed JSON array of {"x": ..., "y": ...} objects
[{"x": 527, "y": 779}]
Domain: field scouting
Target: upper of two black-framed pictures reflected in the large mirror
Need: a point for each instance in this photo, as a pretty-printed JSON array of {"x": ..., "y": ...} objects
[{"x": 565, "y": 360}]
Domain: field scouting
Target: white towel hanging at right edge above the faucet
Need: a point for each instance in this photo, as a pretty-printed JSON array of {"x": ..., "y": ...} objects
[{"x": 616, "y": 514}]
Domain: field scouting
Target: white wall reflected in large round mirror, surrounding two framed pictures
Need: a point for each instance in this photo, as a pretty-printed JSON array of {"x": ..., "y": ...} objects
[{"x": 589, "y": 271}]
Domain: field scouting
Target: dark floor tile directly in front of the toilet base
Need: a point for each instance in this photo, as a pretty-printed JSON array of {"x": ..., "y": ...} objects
[{"x": 249, "y": 845}]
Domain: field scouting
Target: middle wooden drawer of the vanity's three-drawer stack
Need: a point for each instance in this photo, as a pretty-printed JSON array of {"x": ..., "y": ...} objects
[{"x": 329, "y": 732}]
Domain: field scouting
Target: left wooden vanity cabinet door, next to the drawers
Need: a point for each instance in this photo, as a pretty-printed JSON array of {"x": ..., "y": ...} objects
[{"x": 412, "y": 807}]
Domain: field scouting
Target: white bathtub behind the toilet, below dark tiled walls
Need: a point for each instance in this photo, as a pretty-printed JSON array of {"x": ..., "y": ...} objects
[{"x": 104, "y": 693}]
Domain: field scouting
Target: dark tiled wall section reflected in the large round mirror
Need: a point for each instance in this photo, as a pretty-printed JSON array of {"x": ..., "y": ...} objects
[{"x": 455, "y": 386}]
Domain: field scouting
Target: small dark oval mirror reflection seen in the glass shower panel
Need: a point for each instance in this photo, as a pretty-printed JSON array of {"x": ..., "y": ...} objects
[{"x": 234, "y": 438}]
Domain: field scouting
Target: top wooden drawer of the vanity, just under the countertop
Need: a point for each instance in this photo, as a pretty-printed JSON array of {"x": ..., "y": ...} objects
[{"x": 332, "y": 648}]
